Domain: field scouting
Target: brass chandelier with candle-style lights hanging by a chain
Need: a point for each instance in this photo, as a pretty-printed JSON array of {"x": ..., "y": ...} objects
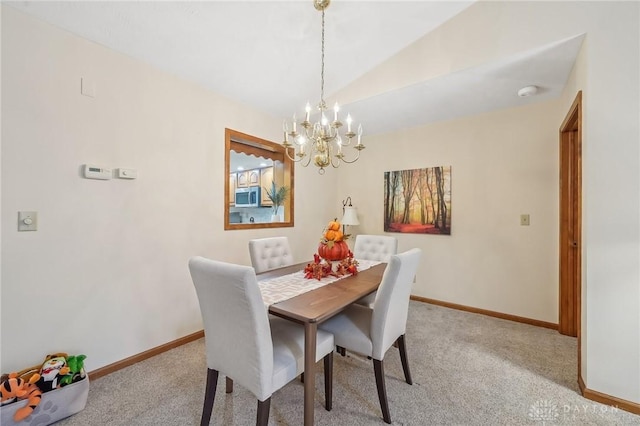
[{"x": 321, "y": 141}]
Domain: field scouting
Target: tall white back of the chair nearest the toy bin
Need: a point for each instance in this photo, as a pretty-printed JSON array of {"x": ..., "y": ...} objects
[{"x": 236, "y": 325}]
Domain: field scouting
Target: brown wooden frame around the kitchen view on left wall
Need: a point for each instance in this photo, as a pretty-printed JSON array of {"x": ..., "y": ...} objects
[{"x": 252, "y": 145}]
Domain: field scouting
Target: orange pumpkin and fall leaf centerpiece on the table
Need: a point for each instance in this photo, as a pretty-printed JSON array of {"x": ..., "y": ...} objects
[{"x": 332, "y": 248}]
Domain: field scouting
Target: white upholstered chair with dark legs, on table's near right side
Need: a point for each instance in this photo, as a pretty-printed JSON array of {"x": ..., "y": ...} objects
[{"x": 371, "y": 332}]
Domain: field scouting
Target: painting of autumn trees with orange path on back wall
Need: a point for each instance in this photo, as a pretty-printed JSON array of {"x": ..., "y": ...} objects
[{"x": 418, "y": 201}]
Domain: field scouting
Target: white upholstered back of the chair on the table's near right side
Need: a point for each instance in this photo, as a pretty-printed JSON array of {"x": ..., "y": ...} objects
[{"x": 391, "y": 306}]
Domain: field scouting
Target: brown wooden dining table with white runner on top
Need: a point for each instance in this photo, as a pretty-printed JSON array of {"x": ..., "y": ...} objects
[{"x": 317, "y": 303}]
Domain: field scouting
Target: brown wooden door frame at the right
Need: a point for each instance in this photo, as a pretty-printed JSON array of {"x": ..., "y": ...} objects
[{"x": 570, "y": 218}]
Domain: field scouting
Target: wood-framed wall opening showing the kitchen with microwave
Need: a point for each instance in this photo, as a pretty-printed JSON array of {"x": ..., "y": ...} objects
[{"x": 252, "y": 166}]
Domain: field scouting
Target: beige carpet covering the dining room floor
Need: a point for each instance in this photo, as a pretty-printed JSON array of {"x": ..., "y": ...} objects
[{"x": 468, "y": 369}]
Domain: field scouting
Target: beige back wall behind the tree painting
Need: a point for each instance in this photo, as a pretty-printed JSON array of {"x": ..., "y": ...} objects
[{"x": 503, "y": 164}]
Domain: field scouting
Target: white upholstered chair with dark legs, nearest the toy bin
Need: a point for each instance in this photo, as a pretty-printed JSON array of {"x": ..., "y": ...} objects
[{"x": 260, "y": 353}]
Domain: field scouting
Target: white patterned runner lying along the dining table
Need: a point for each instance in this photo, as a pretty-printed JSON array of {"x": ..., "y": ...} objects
[{"x": 276, "y": 290}]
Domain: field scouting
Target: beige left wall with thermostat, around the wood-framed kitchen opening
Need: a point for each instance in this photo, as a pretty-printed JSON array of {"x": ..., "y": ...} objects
[{"x": 106, "y": 273}]
